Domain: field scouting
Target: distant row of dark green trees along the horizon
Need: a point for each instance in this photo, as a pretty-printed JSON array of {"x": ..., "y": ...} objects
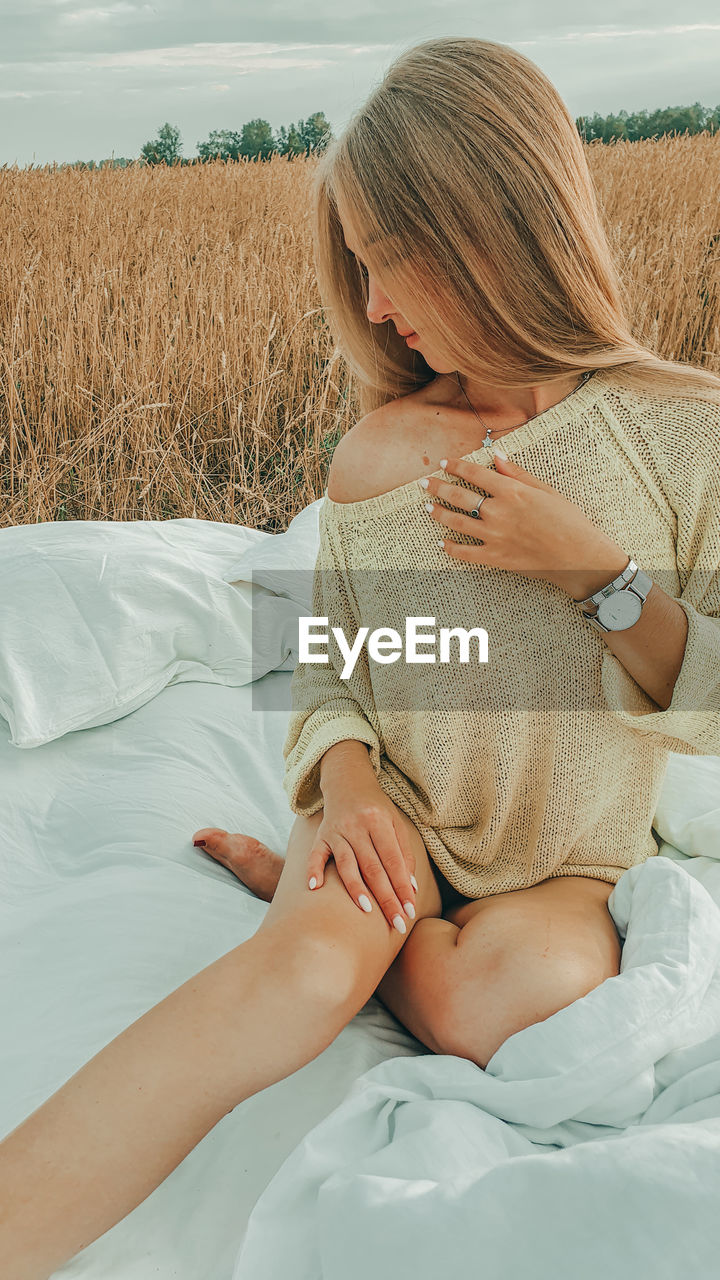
[{"x": 257, "y": 140}]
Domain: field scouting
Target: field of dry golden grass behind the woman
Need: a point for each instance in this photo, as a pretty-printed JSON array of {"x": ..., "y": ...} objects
[{"x": 163, "y": 350}]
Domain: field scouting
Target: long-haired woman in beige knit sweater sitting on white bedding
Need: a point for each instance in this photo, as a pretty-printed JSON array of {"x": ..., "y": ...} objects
[{"x": 459, "y": 828}]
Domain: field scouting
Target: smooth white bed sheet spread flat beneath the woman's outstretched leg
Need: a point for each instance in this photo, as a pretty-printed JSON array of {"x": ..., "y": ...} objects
[{"x": 106, "y": 908}]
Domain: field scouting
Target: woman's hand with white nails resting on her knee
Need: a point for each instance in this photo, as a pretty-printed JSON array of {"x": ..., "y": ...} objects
[{"x": 370, "y": 847}]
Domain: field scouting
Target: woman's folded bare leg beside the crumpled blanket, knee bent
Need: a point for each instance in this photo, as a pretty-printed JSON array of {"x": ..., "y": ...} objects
[{"x": 467, "y": 984}]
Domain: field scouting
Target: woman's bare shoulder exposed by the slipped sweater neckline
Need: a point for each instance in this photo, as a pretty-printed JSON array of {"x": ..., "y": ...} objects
[{"x": 381, "y": 451}]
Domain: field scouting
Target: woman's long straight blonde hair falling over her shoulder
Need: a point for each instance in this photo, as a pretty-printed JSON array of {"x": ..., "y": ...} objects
[{"x": 468, "y": 168}]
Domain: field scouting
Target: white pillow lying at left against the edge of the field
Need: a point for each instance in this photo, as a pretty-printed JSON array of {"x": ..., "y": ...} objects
[{"x": 97, "y": 618}]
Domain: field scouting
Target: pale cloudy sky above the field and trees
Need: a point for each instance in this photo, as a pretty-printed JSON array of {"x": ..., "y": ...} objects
[{"x": 84, "y": 80}]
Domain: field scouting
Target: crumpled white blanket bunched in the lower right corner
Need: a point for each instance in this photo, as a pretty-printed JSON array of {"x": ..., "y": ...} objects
[{"x": 589, "y": 1148}]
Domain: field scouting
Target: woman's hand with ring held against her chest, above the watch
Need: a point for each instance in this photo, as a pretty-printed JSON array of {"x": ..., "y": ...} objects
[{"x": 525, "y": 525}]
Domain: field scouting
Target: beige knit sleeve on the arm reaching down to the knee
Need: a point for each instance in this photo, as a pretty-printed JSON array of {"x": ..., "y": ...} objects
[{"x": 325, "y": 707}]
